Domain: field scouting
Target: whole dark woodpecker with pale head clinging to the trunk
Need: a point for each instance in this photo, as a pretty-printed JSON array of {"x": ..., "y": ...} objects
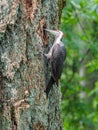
[{"x": 56, "y": 56}]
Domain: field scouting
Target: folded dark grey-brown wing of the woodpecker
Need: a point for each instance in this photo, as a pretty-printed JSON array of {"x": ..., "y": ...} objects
[{"x": 57, "y": 60}]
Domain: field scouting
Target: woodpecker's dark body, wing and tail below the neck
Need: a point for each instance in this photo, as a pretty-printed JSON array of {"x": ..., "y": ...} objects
[{"x": 57, "y": 58}]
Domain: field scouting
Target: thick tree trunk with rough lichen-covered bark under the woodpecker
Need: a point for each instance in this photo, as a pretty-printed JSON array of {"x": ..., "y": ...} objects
[{"x": 23, "y": 69}]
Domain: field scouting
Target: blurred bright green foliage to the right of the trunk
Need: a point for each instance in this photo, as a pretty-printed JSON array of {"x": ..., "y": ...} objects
[{"x": 80, "y": 76}]
